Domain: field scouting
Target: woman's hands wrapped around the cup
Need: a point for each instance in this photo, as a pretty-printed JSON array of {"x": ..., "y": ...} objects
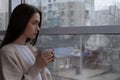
[{"x": 43, "y": 59}]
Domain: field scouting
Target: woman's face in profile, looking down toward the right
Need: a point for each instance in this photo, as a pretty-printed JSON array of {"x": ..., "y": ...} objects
[{"x": 32, "y": 27}]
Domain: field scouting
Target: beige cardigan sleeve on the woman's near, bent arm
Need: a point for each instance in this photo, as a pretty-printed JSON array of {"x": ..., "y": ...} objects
[{"x": 10, "y": 68}]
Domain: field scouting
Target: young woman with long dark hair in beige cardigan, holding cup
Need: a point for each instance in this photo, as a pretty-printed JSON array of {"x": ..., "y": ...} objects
[{"x": 19, "y": 60}]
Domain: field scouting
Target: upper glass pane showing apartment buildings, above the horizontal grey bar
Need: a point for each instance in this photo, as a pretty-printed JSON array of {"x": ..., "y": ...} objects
[{"x": 76, "y": 13}]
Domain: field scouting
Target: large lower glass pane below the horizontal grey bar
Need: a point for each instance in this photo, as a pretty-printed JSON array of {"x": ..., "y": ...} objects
[{"x": 83, "y": 57}]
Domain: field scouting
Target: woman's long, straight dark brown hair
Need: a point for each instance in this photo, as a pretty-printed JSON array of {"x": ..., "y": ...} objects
[{"x": 18, "y": 21}]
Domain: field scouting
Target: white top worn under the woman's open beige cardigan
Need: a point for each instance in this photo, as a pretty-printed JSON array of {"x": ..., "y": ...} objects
[{"x": 27, "y": 55}]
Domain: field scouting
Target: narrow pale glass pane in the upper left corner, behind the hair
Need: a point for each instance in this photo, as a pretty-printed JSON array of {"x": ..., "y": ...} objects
[{"x": 3, "y": 14}]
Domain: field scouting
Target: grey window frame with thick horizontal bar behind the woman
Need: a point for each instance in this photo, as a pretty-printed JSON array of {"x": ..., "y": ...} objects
[{"x": 80, "y": 30}]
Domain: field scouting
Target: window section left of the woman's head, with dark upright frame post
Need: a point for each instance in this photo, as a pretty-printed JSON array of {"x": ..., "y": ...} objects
[{"x": 6, "y": 6}]
